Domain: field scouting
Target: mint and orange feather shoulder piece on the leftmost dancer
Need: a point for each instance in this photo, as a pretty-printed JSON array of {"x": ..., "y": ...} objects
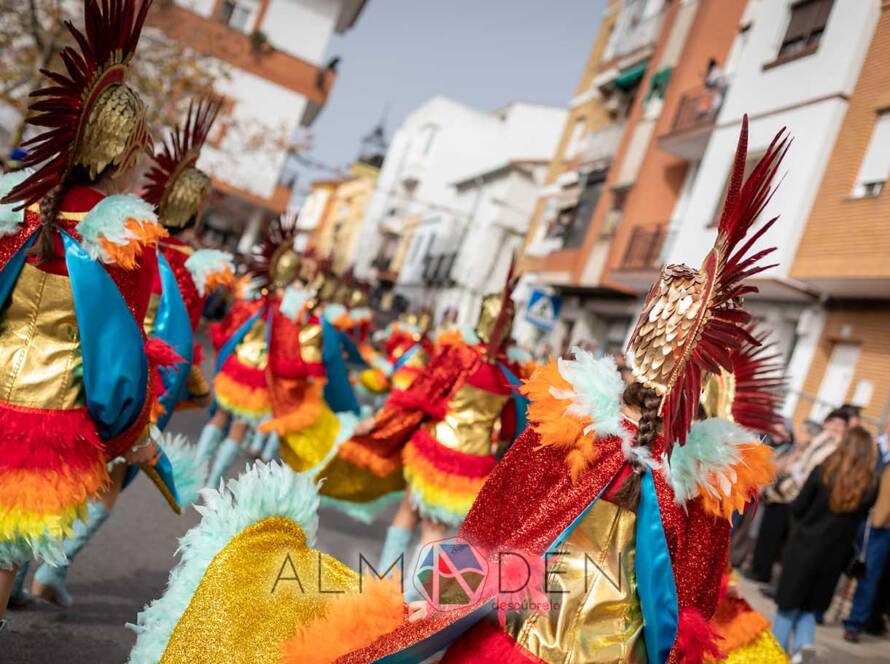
[{"x": 117, "y": 228}]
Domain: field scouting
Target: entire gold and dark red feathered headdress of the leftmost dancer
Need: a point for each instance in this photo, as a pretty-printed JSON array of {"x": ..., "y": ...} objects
[{"x": 93, "y": 119}]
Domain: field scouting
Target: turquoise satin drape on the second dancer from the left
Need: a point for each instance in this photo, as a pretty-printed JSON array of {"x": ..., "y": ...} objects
[{"x": 172, "y": 325}]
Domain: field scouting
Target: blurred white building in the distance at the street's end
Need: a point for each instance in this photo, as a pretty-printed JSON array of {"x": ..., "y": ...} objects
[{"x": 445, "y": 166}]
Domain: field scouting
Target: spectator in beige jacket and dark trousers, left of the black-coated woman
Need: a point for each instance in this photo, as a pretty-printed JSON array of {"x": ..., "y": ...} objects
[{"x": 793, "y": 466}]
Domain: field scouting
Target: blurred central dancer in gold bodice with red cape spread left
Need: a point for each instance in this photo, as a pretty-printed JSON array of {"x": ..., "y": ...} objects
[{"x": 439, "y": 437}]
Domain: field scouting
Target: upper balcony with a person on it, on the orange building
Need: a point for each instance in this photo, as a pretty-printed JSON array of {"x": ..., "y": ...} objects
[{"x": 693, "y": 123}]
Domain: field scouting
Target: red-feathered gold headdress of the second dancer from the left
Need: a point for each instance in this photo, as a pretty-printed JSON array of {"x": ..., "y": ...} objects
[{"x": 175, "y": 187}]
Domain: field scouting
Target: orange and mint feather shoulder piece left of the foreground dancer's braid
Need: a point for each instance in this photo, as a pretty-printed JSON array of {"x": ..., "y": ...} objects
[{"x": 575, "y": 402}]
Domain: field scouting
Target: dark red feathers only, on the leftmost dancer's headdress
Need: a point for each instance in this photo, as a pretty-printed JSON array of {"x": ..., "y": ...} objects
[{"x": 111, "y": 33}]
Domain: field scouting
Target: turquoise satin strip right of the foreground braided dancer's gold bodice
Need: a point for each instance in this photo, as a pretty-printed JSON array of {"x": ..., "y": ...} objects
[{"x": 655, "y": 576}]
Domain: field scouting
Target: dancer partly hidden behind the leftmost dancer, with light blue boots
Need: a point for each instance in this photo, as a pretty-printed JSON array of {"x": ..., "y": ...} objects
[{"x": 178, "y": 191}]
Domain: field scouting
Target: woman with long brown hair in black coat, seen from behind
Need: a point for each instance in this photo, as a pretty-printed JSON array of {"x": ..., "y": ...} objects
[{"x": 825, "y": 517}]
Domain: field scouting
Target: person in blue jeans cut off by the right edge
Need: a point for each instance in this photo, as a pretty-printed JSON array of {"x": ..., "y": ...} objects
[{"x": 876, "y": 543}]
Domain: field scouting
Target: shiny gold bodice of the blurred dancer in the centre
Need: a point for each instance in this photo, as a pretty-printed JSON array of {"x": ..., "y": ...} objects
[{"x": 469, "y": 425}]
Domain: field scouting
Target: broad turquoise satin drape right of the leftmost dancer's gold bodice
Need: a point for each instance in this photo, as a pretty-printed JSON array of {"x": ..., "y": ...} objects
[{"x": 115, "y": 368}]
